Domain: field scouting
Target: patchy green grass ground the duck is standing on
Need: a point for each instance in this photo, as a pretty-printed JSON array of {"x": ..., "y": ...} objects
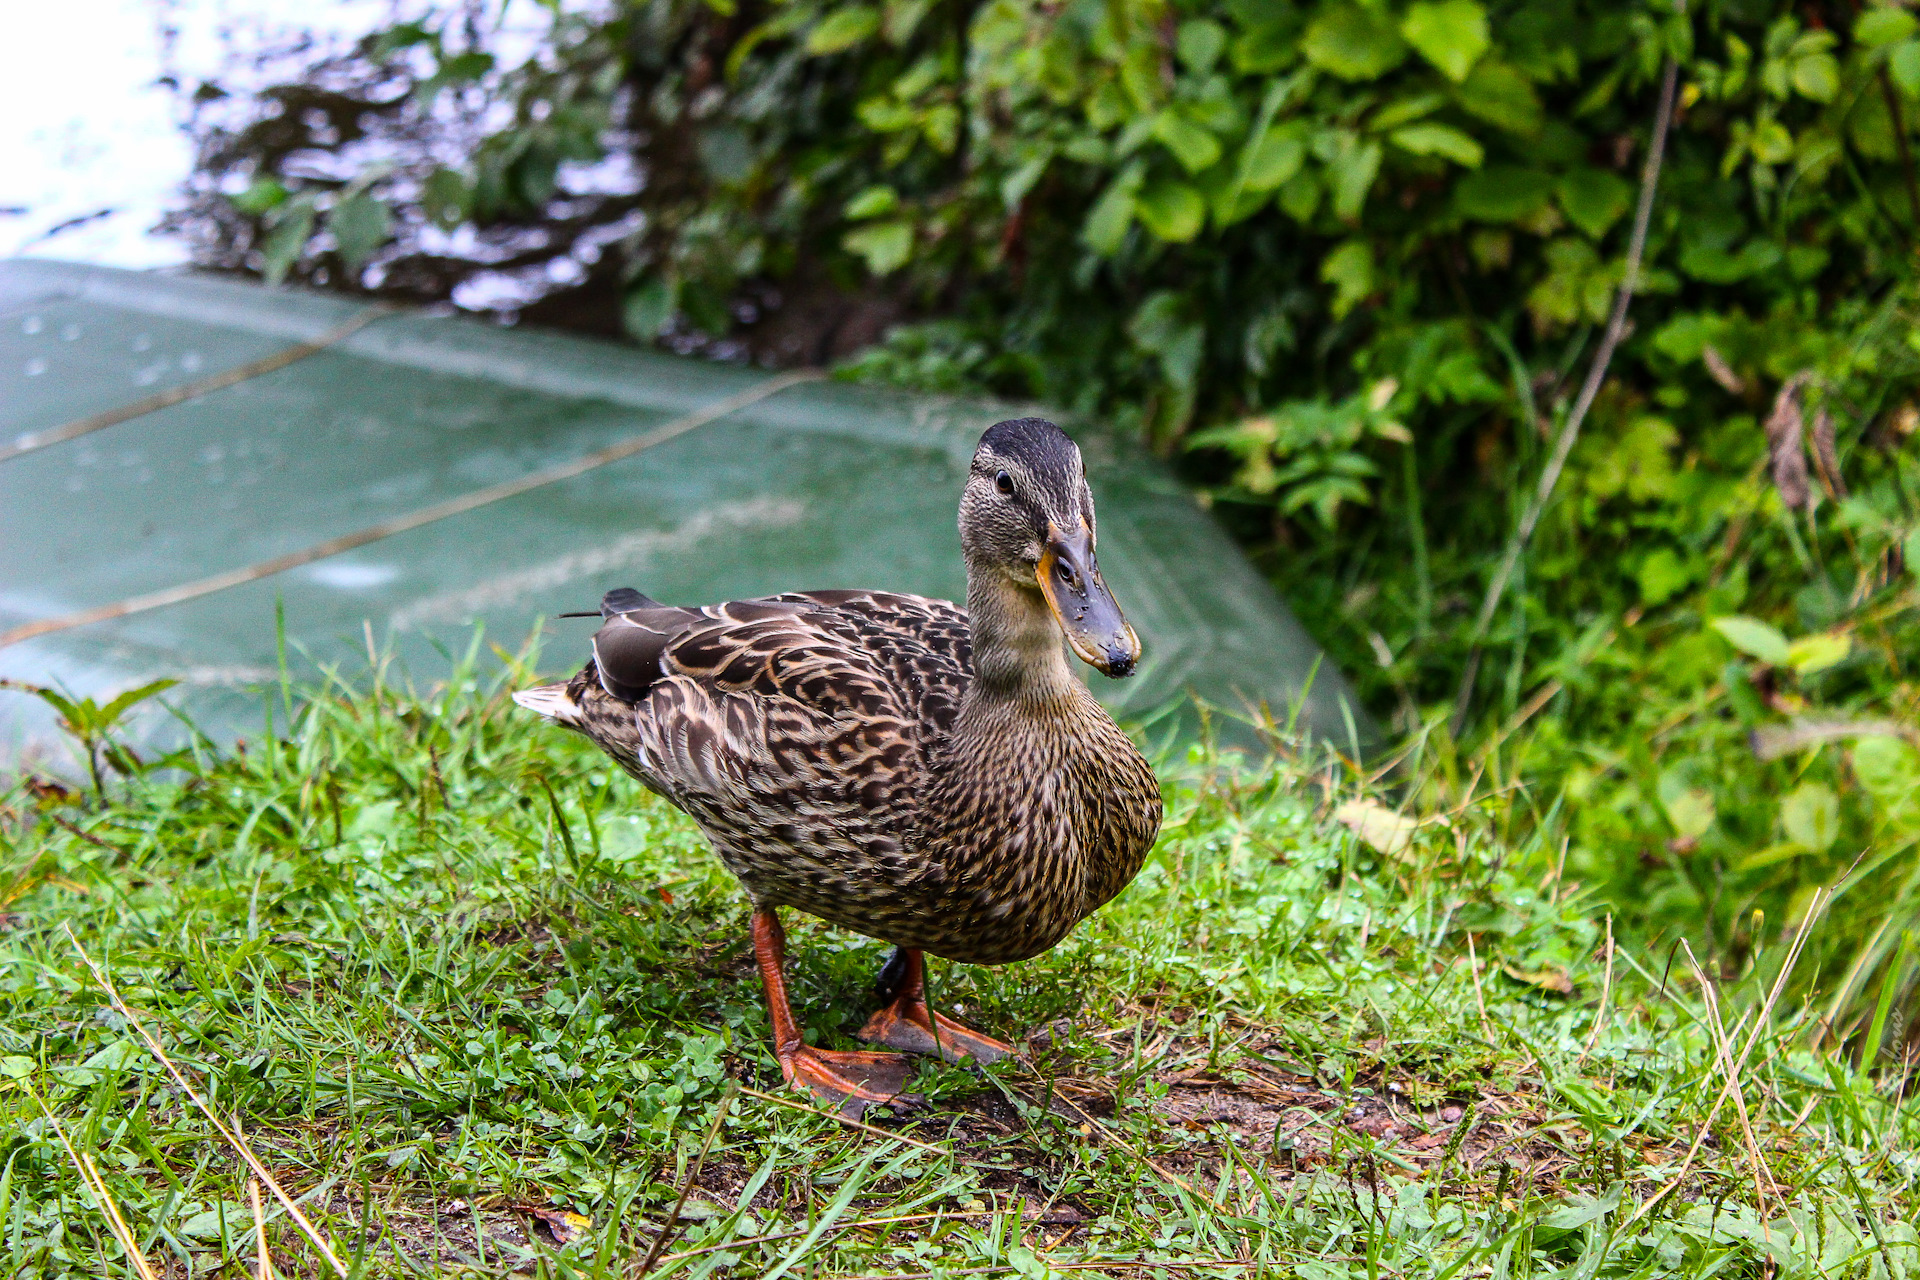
[{"x": 446, "y": 966}]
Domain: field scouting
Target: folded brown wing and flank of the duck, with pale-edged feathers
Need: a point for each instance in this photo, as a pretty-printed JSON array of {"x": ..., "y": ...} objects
[{"x": 796, "y": 728}]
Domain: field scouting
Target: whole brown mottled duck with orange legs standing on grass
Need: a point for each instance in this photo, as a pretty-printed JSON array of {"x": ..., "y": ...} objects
[{"x": 928, "y": 776}]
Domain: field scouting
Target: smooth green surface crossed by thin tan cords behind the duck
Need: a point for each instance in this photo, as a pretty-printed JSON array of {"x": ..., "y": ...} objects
[{"x": 815, "y": 486}]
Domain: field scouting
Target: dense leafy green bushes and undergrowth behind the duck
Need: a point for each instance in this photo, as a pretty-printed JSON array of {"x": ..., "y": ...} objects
[{"x": 1347, "y": 262}]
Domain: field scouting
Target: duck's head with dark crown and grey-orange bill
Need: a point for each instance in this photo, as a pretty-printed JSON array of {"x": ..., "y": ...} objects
[{"x": 1028, "y": 519}]
